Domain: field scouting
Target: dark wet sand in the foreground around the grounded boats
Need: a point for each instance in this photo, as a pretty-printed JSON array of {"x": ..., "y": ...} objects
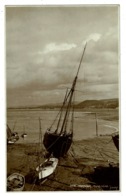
[{"x": 91, "y": 164}]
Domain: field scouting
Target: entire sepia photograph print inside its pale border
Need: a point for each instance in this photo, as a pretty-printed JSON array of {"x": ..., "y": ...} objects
[{"x": 62, "y": 97}]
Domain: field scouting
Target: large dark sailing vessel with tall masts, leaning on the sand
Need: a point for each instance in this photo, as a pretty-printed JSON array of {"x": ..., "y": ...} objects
[{"x": 58, "y": 138}]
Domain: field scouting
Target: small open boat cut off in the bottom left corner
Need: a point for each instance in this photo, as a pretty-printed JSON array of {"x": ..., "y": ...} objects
[{"x": 15, "y": 182}]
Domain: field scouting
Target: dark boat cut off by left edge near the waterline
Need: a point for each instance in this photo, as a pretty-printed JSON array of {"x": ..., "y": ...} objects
[{"x": 12, "y": 137}]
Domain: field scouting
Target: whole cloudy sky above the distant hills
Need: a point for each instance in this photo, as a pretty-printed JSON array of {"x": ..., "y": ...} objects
[{"x": 43, "y": 50}]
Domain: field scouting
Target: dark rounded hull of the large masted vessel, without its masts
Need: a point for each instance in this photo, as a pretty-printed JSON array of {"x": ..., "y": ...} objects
[{"x": 57, "y": 144}]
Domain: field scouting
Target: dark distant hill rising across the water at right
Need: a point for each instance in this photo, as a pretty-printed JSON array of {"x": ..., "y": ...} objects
[{"x": 104, "y": 103}]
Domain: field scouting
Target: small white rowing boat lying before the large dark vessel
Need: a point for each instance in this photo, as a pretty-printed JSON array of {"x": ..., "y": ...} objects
[{"x": 47, "y": 168}]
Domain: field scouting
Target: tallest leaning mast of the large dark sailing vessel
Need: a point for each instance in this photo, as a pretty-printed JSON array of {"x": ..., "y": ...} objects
[{"x": 72, "y": 91}]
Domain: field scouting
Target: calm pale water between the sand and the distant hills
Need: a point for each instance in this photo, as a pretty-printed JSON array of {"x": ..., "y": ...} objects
[{"x": 28, "y": 121}]
